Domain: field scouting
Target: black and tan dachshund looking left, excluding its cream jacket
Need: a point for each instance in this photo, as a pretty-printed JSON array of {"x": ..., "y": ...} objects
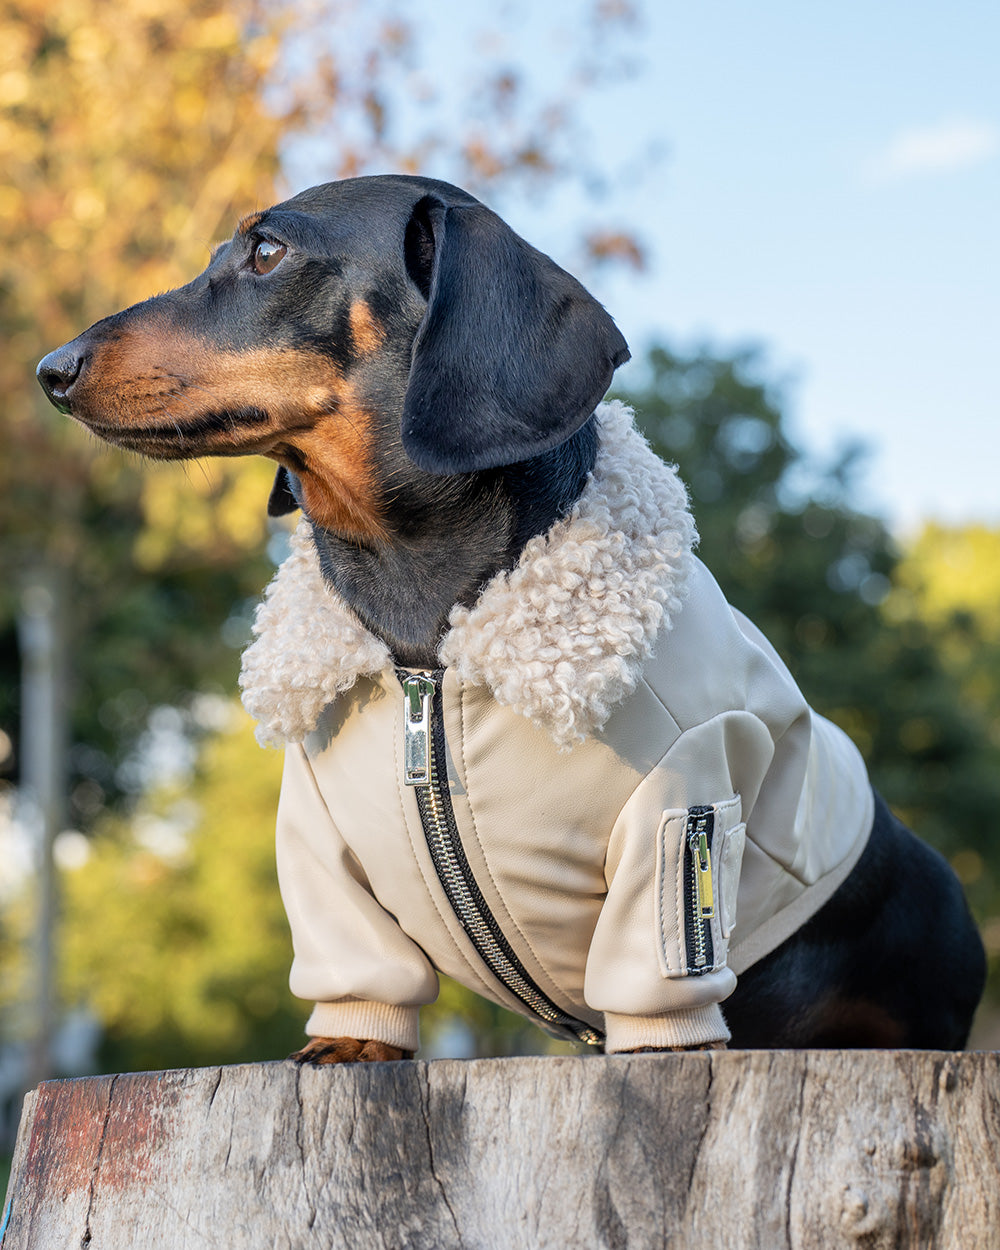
[{"x": 427, "y": 384}]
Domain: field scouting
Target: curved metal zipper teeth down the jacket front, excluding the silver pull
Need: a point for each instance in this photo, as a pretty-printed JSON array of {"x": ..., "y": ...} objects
[{"x": 457, "y": 878}]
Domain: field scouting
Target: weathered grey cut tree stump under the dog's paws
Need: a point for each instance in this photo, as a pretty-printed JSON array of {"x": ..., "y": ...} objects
[{"x": 717, "y": 1152}]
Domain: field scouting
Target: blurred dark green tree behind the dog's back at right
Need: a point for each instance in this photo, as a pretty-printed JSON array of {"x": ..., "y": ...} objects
[{"x": 813, "y": 573}]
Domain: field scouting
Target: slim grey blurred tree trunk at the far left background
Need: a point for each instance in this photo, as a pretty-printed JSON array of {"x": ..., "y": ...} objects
[{"x": 43, "y": 634}]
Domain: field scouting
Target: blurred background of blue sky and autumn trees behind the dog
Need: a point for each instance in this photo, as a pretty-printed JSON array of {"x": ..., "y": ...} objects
[{"x": 791, "y": 211}]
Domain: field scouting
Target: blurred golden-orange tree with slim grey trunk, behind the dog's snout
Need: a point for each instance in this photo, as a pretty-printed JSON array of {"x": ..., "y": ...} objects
[{"x": 97, "y": 163}]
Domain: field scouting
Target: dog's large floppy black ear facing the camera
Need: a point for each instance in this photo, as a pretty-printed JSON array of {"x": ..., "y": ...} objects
[{"x": 513, "y": 354}]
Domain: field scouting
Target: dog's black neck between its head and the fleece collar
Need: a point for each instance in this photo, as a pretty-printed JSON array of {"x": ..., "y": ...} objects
[{"x": 448, "y": 537}]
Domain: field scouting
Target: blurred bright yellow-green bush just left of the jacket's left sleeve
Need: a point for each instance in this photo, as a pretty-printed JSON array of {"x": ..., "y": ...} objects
[{"x": 174, "y": 932}]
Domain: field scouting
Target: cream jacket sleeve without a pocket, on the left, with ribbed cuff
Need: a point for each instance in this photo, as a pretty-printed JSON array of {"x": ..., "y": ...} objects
[{"x": 367, "y": 978}]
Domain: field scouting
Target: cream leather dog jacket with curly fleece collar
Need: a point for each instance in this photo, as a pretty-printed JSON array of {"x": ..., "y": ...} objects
[{"x": 609, "y": 801}]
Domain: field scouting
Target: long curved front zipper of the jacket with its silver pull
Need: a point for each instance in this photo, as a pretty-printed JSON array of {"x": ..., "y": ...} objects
[{"x": 426, "y": 771}]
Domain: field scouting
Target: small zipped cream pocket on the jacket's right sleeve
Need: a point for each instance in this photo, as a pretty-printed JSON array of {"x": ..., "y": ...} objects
[{"x": 699, "y": 853}]
